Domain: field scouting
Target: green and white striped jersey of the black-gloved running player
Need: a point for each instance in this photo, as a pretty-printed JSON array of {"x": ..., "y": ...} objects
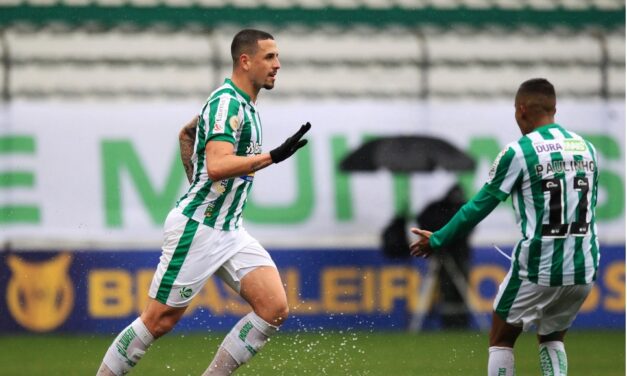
[{"x": 228, "y": 115}]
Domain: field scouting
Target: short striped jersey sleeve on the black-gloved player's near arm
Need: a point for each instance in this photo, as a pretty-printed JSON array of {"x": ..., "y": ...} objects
[{"x": 222, "y": 118}]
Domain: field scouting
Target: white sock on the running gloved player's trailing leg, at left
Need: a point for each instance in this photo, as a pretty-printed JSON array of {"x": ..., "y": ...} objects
[{"x": 128, "y": 348}]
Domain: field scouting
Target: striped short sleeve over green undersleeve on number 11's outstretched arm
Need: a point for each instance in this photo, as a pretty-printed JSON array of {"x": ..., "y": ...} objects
[{"x": 504, "y": 173}]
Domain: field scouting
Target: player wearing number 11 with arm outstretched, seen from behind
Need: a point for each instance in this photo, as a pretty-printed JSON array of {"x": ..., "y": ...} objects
[{"x": 551, "y": 174}]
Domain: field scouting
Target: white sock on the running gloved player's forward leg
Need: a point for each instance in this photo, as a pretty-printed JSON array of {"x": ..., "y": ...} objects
[{"x": 246, "y": 338}]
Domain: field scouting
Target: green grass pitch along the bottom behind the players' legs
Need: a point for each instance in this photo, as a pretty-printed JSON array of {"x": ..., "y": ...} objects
[{"x": 314, "y": 353}]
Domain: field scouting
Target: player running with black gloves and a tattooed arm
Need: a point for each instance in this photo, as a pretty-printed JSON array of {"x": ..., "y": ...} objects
[{"x": 203, "y": 234}]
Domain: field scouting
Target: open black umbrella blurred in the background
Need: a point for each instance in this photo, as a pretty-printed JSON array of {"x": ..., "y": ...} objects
[{"x": 407, "y": 154}]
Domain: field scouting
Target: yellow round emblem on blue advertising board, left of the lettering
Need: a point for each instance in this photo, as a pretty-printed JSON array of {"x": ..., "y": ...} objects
[{"x": 39, "y": 294}]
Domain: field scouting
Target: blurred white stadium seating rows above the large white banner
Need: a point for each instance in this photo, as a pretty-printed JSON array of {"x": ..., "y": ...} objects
[{"x": 322, "y": 62}]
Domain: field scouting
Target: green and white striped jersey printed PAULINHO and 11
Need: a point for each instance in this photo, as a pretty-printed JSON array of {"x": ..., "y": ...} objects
[{"x": 552, "y": 175}]
